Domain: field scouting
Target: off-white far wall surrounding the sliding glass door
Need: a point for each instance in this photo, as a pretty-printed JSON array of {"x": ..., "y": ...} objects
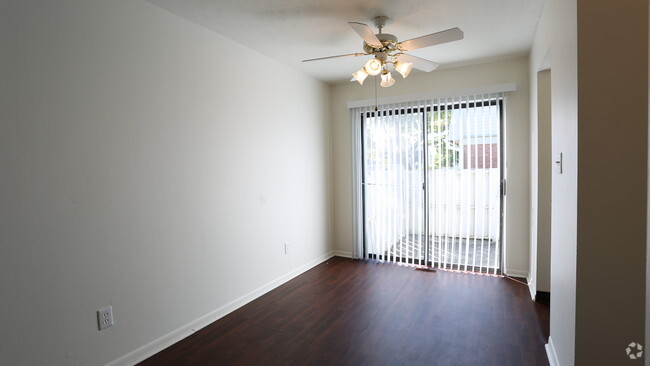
[{"x": 517, "y": 144}]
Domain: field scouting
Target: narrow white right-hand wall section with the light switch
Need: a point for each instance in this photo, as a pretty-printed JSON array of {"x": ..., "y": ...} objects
[{"x": 556, "y": 33}]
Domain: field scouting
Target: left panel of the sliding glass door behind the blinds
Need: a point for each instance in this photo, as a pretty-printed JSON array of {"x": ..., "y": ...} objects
[{"x": 394, "y": 167}]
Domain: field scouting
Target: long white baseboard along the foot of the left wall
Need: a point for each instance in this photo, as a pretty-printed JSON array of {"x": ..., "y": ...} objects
[{"x": 150, "y": 349}]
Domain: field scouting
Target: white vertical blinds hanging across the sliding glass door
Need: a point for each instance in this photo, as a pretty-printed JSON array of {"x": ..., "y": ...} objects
[{"x": 427, "y": 179}]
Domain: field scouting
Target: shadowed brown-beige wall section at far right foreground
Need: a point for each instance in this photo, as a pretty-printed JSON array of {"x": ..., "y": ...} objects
[{"x": 612, "y": 113}]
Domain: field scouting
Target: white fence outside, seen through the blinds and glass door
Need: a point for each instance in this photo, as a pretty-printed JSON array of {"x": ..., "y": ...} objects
[{"x": 462, "y": 203}]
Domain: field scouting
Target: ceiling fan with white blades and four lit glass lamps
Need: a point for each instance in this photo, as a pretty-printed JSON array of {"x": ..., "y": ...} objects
[{"x": 387, "y": 50}]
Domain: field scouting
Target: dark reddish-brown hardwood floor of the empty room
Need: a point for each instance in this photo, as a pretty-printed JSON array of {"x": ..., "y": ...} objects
[{"x": 349, "y": 312}]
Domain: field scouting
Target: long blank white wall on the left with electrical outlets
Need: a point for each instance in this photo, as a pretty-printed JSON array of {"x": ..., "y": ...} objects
[{"x": 138, "y": 172}]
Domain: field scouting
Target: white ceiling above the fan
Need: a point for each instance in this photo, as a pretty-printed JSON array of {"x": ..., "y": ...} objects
[{"x": 294, "y": 30}]
